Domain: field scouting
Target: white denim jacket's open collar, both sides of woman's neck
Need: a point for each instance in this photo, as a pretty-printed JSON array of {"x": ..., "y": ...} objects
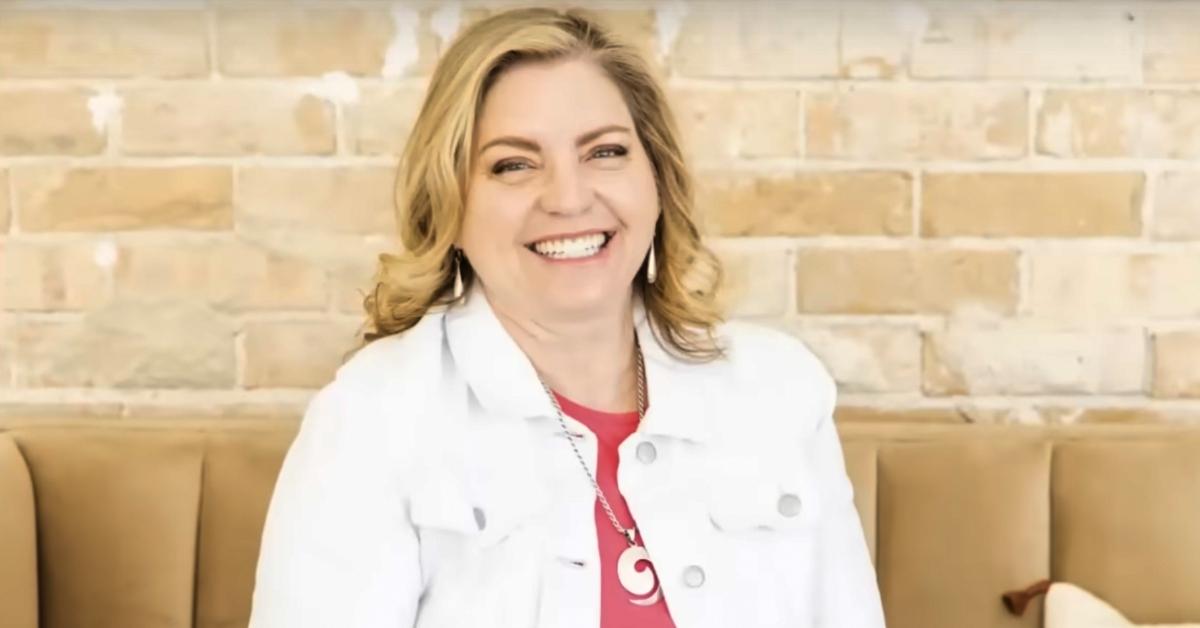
[{"x": 505, "y": 381}]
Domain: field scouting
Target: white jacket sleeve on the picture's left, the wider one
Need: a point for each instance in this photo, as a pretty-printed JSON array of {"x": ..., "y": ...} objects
[{"x": 338, "y": 548}]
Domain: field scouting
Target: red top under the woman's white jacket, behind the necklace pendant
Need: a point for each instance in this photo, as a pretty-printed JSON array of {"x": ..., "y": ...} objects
[{"x": 616, "y": 609}]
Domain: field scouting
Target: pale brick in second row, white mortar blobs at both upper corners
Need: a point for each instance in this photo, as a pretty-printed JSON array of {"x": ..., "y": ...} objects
[{"x": 226, "y": 119}]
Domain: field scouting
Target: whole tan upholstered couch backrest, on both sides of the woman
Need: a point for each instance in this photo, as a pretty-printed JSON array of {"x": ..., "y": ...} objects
[{"x": 158, "y": 523}]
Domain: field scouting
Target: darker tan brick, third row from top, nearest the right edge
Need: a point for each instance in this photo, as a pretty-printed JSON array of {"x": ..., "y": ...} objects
[{"x": 1033, "y": 205}]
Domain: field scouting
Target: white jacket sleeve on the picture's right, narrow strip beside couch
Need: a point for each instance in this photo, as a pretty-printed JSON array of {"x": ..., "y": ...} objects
[{"x": 849, "y": 595}]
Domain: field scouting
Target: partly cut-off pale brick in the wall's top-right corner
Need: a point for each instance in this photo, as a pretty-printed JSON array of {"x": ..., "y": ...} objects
[{"x": 1172, "y": 47}]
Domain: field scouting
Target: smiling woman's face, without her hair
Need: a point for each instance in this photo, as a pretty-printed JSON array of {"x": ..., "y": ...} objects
[{"x": 562, "y": 200}]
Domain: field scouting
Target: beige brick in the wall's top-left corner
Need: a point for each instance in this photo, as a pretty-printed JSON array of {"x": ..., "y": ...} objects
[{"x": 103, "y": 44}]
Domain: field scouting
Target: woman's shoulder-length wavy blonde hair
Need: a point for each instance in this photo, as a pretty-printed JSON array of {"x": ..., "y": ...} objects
[{"x": 682, "y": 304}]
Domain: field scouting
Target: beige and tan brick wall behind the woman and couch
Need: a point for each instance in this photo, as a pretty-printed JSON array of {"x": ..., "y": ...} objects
[{"x": 982, "y": 212}]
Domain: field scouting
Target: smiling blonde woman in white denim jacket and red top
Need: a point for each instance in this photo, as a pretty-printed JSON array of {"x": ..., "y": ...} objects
[{"x": 553, "y": 316}]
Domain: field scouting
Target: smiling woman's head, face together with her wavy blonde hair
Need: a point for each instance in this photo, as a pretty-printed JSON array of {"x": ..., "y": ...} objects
[{"x": 539, "y": 128}]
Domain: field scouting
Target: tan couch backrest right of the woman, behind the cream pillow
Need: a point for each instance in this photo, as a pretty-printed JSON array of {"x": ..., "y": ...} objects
[{"x": 964, "y": 513}]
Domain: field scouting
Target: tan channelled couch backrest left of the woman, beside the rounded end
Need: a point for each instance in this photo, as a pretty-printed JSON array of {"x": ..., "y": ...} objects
[{"x": 152, "y": 524}]
